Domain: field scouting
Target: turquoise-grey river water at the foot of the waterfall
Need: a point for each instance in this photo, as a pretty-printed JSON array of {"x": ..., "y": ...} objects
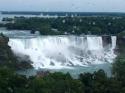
[{"x": 74, "y": 71}]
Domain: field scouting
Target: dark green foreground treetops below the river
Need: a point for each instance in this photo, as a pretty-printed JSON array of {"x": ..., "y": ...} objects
[{"x": 96, "y": 82}]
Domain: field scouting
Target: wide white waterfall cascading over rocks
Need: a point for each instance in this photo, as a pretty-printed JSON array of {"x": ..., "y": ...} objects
[{"x": 64, "y": 51}]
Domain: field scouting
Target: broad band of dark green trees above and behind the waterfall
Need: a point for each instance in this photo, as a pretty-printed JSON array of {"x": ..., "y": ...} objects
[{"x": 104, "y": 25}]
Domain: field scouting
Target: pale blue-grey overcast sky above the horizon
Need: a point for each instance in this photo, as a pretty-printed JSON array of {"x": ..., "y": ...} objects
[{"x": 63, "y": 5}]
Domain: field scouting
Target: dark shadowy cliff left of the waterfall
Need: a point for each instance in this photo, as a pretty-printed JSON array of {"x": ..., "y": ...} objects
[{"x": 7, "y": 58}]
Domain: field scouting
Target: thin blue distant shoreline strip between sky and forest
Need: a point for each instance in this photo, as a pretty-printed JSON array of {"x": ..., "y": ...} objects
[{"x": 64, "y": 13}]
